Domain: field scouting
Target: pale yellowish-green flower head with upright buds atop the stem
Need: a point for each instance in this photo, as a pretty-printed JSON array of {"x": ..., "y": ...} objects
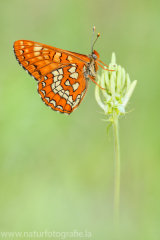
[{"x": 118, "y": 89}]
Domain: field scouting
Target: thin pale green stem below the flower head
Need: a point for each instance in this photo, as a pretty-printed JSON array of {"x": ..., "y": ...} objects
[{"x": 117, "y": 168}]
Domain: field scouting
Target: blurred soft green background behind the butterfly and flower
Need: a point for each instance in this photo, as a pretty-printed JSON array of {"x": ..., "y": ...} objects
[{"x": 57, "y": 171}]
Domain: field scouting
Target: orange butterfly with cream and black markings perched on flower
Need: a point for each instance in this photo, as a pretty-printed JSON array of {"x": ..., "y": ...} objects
[{"x": 62, "y": 75}]
